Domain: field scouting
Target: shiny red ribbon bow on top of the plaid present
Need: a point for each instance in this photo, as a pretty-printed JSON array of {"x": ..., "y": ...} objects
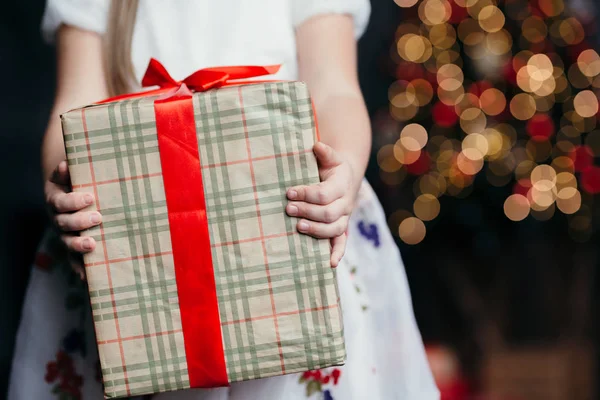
[{"x": 204, "y": 79}]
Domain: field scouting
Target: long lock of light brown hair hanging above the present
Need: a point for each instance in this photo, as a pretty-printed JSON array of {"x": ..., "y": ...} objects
[{"x": 120, "y": 75}]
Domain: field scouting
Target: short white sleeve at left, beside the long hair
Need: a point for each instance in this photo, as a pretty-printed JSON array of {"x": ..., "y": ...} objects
[{"x": 90, "y": 15}]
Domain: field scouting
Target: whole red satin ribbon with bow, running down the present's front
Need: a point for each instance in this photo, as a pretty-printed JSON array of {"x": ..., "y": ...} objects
[{"x": 182, "y": 176}]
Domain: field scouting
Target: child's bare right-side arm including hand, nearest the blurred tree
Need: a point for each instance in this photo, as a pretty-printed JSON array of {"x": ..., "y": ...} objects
[{"x": 327, "y": 63}]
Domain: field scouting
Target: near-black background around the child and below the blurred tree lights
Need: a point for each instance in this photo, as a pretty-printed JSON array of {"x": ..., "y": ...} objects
[{"x": 478, "y": 280}]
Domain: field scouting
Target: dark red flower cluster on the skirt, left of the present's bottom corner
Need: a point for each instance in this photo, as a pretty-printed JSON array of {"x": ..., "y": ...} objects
[{"x": 68, "y": 382}]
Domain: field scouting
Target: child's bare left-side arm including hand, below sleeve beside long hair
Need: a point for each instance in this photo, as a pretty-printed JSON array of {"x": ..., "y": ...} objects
[{"x": 80, "y": 81}]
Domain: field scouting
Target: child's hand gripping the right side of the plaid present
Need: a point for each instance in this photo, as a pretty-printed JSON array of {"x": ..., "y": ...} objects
[{"x": 325, "y": 208}]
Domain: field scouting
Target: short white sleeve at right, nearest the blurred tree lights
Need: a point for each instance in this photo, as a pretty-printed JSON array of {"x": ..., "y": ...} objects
[{"x": 358, "y": 9}]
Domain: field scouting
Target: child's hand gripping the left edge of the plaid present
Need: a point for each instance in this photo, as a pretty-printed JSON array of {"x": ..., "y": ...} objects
[{"x": 66, "y": 209}]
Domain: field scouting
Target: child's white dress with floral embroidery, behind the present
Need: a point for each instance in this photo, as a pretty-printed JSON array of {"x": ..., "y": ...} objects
[{"x": 55, "y": 356}]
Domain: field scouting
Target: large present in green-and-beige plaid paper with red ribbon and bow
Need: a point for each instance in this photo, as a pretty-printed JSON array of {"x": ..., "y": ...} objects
[{"x": 199, "y": 278}]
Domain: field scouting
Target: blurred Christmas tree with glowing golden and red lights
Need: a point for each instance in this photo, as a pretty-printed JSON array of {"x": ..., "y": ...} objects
[{"x": 500, "y": 91}]
